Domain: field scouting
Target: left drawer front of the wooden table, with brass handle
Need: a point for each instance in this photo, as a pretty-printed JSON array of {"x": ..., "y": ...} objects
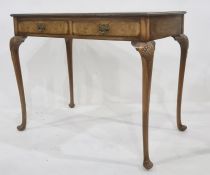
[{"x": 43, "y": 27}]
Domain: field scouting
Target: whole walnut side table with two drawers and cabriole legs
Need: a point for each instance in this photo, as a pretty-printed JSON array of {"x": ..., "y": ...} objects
[{"x": 139, "y": 28}]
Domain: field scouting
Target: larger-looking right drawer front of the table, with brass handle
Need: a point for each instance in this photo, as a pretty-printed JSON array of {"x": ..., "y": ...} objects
[{"x": 106, "y": 27}]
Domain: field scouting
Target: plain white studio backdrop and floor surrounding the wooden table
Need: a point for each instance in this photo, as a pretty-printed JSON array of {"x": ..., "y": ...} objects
[{"x": 102, "y": 135}]
